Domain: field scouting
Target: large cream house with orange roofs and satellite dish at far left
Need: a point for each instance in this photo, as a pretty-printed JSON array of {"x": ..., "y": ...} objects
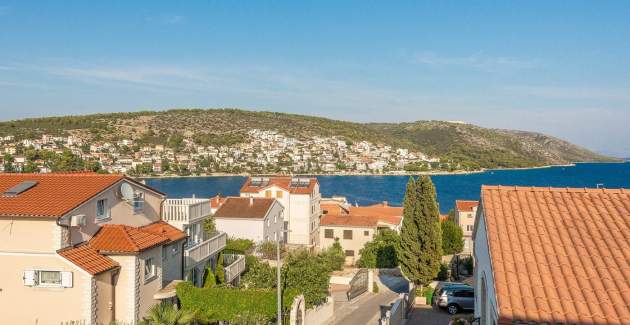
[{"x": 82, "y": 246}]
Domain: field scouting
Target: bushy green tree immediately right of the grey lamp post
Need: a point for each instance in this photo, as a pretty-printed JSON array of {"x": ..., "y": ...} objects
[{"x": 307, "y": 273}]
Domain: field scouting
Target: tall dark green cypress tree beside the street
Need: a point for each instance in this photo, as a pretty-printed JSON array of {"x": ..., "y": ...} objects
[{"x": 421, "y": 235}]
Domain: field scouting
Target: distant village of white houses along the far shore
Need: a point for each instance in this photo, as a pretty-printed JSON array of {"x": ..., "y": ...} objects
[{"x": 262, "y": 152}]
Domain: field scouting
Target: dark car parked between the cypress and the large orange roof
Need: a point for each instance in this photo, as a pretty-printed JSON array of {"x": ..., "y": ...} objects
[{"x": 454, "y": 297}]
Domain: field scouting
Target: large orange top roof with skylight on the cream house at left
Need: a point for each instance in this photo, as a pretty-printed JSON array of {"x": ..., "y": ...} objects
[{"x": 54, "y": 195}]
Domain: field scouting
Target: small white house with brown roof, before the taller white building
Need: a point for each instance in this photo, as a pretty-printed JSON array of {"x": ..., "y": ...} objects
[{"x": 257, "y": 219}]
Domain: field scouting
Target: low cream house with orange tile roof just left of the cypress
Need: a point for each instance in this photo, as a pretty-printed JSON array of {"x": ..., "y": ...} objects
[{"x": 355, "y": 226}]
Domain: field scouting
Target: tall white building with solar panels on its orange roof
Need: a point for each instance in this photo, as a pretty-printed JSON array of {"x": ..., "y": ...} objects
[{"x": 300, "y": 198}]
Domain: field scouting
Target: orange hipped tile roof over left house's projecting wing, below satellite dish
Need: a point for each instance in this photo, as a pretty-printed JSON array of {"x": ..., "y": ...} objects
[{"x": 125, "y": 239}]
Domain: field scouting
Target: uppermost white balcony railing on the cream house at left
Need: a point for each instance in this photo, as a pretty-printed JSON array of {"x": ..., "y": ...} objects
[{"x": 185, "y": 211}]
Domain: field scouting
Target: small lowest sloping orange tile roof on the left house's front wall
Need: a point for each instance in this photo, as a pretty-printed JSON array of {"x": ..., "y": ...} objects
[{"x": 88, "y": 259}]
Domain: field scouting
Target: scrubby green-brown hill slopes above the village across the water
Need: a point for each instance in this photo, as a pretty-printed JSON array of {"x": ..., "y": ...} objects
[{"x": 469, "y": 145}]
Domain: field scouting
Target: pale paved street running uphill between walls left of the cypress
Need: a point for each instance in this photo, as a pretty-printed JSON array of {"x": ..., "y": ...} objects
[{"x": 366, "y": 308}]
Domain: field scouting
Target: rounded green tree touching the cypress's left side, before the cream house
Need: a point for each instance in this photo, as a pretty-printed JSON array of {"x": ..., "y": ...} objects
[{"x": 381, "y": 252}]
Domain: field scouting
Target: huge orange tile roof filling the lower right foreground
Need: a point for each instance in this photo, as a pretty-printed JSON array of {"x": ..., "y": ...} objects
[{"x": 559, "y": 255}]
